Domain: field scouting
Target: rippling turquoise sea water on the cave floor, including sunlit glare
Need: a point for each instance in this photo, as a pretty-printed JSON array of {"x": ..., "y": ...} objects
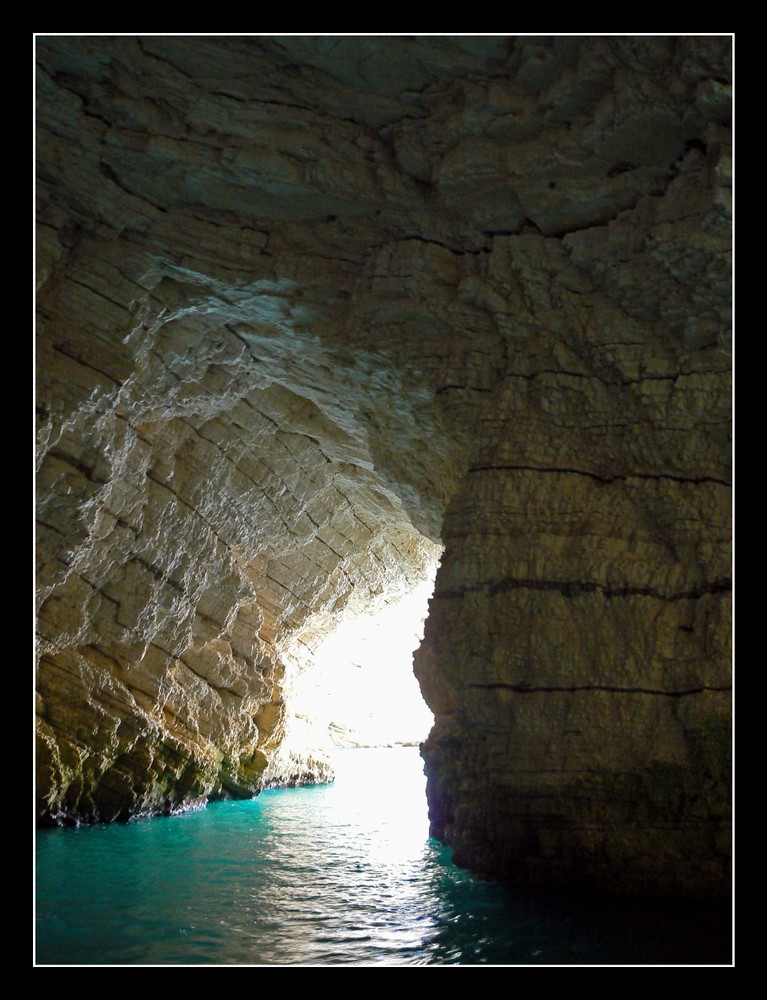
[{"x": 336, "y": 875}]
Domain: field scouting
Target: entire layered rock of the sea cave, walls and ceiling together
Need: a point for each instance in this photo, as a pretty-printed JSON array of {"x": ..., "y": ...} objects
[{"x": 311, "y": 306}]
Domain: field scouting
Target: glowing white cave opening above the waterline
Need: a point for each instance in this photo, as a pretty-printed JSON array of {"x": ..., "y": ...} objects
[{"x": 361, "y": 690}]
